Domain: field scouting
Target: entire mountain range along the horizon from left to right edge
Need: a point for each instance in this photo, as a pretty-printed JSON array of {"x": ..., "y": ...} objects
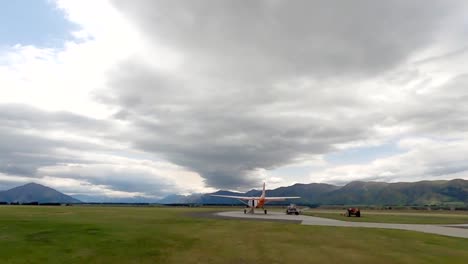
[{"x": 441, "y": 192}]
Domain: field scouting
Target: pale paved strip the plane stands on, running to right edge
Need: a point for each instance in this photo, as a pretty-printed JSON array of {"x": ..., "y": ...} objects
[{"x": 446, "y": 230}]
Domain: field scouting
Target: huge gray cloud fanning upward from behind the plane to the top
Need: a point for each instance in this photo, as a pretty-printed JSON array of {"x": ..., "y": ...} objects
[{"x": 266, "y": 83}]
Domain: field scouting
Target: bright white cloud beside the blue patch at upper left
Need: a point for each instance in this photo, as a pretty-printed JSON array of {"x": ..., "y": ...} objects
[{"x": 68, "y": 78}]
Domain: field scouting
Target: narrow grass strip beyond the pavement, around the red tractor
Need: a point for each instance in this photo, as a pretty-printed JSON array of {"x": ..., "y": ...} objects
[{"x": 395, "y": 217}]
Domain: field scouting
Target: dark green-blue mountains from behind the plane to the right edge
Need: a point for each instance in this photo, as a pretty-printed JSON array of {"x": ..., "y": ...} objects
[{"x": 357, "y": 192}]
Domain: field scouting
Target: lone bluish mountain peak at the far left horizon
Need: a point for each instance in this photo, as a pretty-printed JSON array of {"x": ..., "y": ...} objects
[{"x": 33, "y": 192}]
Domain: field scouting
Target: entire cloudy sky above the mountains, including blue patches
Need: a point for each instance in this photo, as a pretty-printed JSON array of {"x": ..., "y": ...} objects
[{"x": 148, "y": 98}]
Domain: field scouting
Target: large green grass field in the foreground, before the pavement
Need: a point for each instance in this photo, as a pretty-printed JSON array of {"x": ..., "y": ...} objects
[{"x": 170, "y": 235}]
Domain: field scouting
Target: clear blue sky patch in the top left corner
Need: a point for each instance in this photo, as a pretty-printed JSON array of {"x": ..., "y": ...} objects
[{"x": 33, "y": 22}]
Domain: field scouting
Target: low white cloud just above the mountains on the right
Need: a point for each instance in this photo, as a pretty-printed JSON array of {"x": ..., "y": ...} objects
[{"x": 425, "y": 159}]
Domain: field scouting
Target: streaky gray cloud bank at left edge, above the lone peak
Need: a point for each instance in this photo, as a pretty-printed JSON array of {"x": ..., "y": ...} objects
[{"x": 25, "y": 146}]
